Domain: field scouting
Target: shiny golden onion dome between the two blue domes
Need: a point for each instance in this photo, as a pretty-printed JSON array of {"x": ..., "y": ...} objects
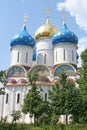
[{"x": 47, "y": 30}]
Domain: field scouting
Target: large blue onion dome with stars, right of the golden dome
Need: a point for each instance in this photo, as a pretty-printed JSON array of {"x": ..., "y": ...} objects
[{"x": 64, "y": 36}]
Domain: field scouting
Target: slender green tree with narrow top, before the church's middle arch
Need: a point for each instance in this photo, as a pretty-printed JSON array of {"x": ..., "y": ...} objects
[{"x": 33, "y": 102}]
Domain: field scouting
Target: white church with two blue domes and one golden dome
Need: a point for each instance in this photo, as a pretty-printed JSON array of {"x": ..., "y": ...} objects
[{"x": 48, "y": 52}]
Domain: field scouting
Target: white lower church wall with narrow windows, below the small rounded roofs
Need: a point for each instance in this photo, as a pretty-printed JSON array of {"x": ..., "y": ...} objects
[{"x": 7, "y": 108}]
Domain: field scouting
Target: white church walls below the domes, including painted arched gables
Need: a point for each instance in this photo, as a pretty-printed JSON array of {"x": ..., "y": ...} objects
[{"x": 50, "y": 59}]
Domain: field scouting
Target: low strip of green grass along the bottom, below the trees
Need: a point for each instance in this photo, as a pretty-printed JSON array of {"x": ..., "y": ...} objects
[{"x": 8, "y": 126}]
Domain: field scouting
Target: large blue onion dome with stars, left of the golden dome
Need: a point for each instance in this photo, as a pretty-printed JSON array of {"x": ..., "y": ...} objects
[{"x": 23, "y": 38}]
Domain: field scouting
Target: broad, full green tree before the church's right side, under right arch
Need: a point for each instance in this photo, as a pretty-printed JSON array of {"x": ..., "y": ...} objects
[{"x": 65, "y": 98}]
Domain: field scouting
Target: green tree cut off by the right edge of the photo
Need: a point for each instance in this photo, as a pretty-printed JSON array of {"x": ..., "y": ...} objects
[{"x": 82, "y": 81}]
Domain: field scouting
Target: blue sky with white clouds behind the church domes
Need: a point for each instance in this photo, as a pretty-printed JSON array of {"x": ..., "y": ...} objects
[{"x": 11, "y": 21}]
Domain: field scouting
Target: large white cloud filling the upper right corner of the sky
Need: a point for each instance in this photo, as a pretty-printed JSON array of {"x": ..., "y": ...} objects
[{"x": 78, "y": 9}]
